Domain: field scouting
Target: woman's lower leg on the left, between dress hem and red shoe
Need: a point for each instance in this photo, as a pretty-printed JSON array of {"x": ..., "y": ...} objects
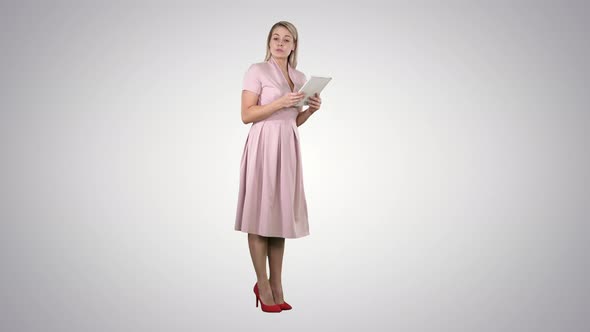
[{"x": 258, "y": 250}]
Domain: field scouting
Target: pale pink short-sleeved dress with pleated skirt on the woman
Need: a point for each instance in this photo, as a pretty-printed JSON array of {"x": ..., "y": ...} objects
[{"x": 271, "y": 199}]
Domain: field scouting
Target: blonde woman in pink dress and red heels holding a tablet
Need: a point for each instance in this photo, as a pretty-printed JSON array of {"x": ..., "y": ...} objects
[{"x": 271, "y": 201}]
